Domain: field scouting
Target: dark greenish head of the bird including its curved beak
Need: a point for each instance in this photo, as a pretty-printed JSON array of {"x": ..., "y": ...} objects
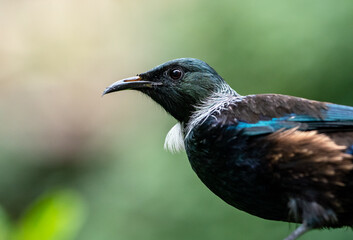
[{"x": 177, "y": 85}]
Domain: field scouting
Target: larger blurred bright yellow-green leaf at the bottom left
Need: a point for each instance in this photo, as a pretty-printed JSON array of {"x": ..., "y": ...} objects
[{"x": 55, "y": 216}]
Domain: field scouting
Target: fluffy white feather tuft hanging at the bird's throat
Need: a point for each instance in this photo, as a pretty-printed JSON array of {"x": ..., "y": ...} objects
[{"x": 174, "y": 141}]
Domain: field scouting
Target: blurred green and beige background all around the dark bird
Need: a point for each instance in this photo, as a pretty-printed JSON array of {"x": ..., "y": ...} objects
[{"x": 75, "y": 166}]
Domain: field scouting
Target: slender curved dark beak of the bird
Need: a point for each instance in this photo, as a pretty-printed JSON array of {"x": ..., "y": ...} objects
[{"x": 130, "y": 83}]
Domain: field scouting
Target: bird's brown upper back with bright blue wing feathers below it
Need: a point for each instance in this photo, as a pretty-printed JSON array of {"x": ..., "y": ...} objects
[{"x": 267, "y": 113}]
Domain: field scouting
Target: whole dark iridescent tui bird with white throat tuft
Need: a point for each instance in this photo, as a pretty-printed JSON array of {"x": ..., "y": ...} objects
[{"x": 274, "y": 156}]
